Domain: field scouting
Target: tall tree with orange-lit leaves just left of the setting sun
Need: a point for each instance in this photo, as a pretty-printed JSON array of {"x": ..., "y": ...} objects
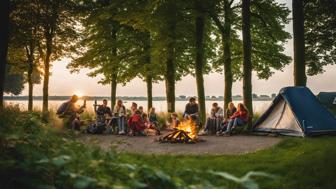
[{"x": 58, "y": 25}]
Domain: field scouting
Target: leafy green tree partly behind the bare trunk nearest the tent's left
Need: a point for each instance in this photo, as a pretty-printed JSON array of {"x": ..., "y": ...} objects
[{"x": 268, "y": 19}]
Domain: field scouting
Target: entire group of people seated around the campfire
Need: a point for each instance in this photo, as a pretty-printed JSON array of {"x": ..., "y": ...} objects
[{"x": 139, "y": 123}]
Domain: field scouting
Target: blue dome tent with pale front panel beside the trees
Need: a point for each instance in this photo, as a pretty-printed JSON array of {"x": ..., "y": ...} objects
[{"x": 296, "y": 112}]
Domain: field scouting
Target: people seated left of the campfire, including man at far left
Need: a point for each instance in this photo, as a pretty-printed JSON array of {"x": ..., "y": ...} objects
[{"x": 138, "y": 121}]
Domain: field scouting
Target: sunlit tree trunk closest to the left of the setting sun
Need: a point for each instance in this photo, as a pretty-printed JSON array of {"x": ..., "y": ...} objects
[{"x": 46, "y": 73}]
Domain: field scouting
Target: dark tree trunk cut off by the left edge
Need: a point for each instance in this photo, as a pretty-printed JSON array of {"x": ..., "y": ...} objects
[{"x": 4, "y": 35}]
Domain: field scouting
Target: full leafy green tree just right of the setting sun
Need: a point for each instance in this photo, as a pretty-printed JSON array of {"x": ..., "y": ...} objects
[{"x": 107, "y": 47}]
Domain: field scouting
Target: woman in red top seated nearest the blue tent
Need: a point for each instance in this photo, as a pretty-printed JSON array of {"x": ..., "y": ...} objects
[{"x": 239, "y": 118}]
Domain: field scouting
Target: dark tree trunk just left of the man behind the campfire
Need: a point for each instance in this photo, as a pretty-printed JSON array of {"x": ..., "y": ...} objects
[{"x": 170, "y": 62}]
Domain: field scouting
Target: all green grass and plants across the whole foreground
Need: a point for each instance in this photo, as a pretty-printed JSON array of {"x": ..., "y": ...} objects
[{"x": 34, "y": 156}]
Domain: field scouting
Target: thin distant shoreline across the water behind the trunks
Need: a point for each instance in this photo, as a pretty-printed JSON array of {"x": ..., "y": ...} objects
[{"x": 90, "y": 98}]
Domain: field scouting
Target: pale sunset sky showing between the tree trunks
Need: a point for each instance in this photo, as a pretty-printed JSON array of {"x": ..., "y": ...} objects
[{"x": 62, "y": 82}]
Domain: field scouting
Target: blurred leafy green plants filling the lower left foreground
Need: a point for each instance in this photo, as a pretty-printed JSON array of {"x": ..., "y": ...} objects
[{"x": 35, "y": 155}]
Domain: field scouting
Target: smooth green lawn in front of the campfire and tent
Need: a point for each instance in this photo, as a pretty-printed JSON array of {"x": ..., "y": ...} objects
[{"x": 297, "y": 163}]
